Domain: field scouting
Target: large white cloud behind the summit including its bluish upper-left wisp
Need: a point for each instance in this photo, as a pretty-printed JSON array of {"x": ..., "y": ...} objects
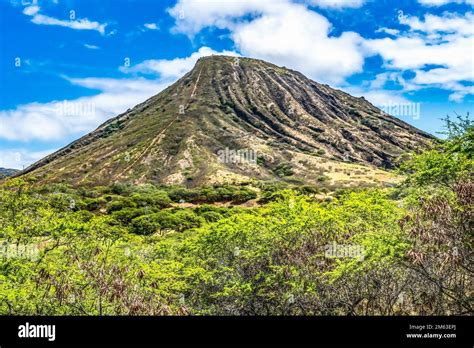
[{"x": 278, "y": 31}]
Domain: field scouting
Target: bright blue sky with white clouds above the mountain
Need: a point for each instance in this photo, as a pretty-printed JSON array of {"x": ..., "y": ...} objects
[{"x": 66, "y": 66}]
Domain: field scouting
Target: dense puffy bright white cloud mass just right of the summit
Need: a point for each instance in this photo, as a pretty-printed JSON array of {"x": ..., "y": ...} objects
[{"x": 300, "y": 39}]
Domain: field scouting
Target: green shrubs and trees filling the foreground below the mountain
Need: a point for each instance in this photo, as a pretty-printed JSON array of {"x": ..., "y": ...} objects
[{"x": 129, "y": 250}]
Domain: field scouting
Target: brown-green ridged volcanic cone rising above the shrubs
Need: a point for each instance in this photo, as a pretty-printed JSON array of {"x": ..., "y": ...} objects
[{"x": 234, "y": 119}]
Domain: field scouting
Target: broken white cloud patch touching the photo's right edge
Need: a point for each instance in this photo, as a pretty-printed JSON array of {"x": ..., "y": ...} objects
[{"x": 439, "y": 50}]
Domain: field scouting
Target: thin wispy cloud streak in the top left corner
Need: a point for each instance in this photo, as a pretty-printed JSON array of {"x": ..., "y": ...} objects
[{"x": 79, "y": 24}]
